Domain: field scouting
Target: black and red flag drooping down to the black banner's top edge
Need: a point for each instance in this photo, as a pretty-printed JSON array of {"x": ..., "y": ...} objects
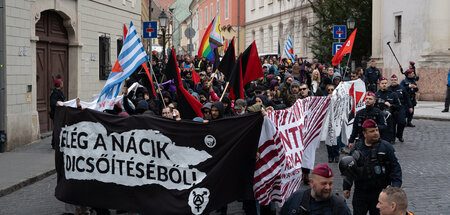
[{"x": 188, "y": 106}]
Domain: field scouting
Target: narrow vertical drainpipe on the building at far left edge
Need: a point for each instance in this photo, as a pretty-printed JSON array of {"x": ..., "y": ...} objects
[{"x": 2, "y": 79}]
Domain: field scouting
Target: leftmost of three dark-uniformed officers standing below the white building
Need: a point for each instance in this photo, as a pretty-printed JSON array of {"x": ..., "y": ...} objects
[{"x": 388, "y": 102}]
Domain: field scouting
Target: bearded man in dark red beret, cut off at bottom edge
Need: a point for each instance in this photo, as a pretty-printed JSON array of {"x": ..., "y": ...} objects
[{"x": 318, "y": 199}]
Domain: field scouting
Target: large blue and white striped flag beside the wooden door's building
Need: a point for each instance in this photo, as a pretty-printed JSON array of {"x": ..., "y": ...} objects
[{"x": 130, "y": 58}]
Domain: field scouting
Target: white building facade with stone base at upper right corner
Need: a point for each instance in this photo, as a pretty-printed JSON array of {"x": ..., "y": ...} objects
[{"x": 418, "y": 31}]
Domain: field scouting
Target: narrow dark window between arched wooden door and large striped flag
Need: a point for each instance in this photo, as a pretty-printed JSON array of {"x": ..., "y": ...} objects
[{"x": 104, "y": 60}]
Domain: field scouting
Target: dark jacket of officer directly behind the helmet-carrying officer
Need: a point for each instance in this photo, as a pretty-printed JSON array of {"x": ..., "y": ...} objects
[{"x": 367, "y": 113}]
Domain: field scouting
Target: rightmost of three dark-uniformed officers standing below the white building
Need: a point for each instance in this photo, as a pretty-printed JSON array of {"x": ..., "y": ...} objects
[{"x": 410, "y": 84}]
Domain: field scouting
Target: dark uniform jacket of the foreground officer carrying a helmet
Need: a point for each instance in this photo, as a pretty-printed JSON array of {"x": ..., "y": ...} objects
[{"x": 380, "y": 172}]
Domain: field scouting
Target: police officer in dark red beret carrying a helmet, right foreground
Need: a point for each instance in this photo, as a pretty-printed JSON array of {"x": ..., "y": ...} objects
[{"x": 376, "y": 168}]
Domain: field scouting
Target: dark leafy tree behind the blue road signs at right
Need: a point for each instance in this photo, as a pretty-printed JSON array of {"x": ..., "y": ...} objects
[{"x": 336, "y": 12}]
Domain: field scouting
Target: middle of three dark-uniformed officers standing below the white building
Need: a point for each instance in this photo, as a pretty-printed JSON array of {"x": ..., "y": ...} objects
[{"x": 399, "y": 115}]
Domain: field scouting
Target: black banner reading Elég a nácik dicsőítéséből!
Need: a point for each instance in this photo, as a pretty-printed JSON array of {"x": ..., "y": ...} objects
[{"x": 153, "y": 165}]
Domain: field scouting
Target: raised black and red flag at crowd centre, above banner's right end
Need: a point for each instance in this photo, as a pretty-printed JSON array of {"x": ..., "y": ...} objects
[{"x": 247, "y": 68}]
